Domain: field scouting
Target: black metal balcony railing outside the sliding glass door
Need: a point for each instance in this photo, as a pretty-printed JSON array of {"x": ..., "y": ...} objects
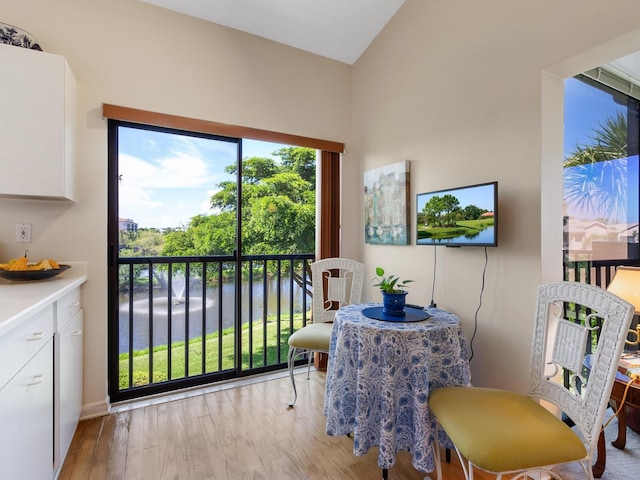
[{"x": 187, "y": 321}]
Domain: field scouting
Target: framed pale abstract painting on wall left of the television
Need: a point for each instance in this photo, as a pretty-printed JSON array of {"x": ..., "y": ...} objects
[{"x": 387, "y": 206}]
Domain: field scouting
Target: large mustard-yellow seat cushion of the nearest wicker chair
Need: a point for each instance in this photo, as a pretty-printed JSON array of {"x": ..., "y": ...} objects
[{"x": 502, "y": 431}]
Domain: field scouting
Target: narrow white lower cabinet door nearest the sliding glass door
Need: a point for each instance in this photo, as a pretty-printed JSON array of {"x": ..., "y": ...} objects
[{"x": 68, "y": 366}]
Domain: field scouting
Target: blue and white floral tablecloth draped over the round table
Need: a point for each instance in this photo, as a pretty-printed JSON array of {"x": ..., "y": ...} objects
[{"x": 379, "y": 377}]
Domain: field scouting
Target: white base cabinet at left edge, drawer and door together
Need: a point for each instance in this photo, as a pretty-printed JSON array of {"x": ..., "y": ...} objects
[{"x": 26, "y": 402}]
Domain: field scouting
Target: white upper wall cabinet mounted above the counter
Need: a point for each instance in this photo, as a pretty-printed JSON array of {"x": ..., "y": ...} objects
[{"x": 37, "y": 124}]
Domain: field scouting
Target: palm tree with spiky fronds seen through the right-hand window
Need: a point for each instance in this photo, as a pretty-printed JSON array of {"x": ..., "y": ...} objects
[{"x": 595, "y": 175}]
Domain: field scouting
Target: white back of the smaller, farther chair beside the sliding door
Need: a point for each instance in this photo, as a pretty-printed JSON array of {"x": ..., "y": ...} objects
[{"x": 336, "y": 282}]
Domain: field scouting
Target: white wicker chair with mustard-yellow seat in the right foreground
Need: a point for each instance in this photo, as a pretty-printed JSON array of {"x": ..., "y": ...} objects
[{"x": 509, "y": 433}]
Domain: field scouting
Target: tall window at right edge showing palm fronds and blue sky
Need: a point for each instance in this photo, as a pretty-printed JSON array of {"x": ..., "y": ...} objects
[{"x": 600, "y": 181}]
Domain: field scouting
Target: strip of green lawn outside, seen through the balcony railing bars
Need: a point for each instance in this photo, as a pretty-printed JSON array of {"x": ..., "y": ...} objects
[{"x": 219, "y": 350}]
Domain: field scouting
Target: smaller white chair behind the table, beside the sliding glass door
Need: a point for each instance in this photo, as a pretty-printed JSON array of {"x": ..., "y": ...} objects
[{"x": 336, "y": 282}]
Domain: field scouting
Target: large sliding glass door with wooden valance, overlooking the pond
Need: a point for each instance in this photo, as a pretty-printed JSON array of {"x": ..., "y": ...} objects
[{"x": 203, "y": 301}]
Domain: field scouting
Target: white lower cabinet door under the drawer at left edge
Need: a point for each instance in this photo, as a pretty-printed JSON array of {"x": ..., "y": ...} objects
[{"x": 26, "y": 417}]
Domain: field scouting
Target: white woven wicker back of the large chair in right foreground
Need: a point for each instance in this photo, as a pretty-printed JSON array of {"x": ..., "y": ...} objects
[{"x": 568, "y": 316}]
